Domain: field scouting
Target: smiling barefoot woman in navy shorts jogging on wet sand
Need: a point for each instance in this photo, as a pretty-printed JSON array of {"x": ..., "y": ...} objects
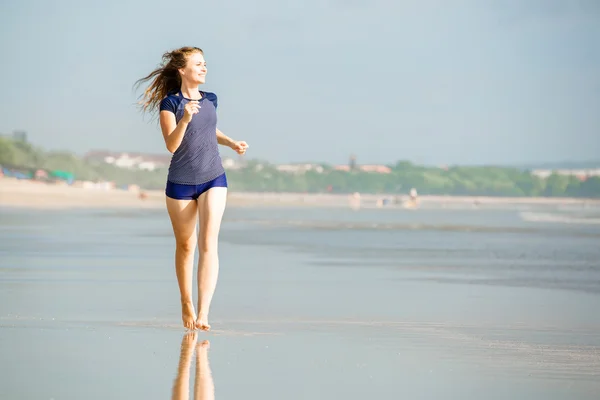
[{"x": 196, "y": 187}]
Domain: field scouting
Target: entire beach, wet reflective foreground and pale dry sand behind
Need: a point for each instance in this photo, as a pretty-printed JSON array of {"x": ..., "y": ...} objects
[{"x": 315, "y": 302}]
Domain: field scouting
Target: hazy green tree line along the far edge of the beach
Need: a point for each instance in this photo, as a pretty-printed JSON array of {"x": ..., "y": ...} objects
[{"x": 262, "y": 176}]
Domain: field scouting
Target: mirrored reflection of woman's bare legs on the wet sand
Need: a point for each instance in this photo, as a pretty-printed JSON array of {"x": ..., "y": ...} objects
[{"x": 204, "y": 388}]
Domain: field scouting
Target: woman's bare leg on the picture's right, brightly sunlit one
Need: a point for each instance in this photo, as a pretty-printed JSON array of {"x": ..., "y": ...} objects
[{"x": 211, "y": 206}]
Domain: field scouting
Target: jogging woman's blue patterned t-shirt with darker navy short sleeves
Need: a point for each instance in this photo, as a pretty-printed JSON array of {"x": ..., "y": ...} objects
[{"x": 196, "y": 160}]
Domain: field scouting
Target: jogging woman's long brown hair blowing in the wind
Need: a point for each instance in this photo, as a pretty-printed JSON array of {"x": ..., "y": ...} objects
[{"x": 165, "y": 79}]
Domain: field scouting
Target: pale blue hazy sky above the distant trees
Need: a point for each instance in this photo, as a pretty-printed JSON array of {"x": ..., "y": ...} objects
[{"x": 429, "y": 81}]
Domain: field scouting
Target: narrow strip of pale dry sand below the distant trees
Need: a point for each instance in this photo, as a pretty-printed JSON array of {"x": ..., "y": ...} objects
[{"x": 38, "y": 195}]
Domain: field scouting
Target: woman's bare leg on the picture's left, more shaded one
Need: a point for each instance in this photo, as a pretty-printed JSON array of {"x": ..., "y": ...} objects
[{"x": 183, "y": 214}]
